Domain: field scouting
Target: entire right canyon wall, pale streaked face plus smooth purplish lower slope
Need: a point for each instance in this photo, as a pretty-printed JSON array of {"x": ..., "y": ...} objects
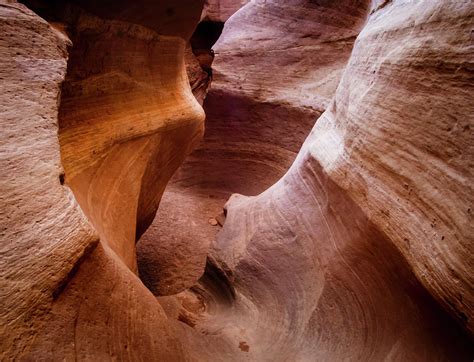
[{"x": 363, "y": 250}]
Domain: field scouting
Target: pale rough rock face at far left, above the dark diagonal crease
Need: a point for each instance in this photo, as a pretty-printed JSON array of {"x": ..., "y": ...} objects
[{"x": 44, "y": 232}]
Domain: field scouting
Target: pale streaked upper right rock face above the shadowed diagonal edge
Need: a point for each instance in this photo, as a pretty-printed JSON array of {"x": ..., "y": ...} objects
[{"x": 405, "y": 155}]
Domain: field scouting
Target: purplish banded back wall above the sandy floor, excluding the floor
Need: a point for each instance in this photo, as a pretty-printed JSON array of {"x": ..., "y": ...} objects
[{"x": 277, "y": 66}]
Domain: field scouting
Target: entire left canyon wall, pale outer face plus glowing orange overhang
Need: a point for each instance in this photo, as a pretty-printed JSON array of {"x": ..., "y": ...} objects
[{"x": 127, "y": 117}]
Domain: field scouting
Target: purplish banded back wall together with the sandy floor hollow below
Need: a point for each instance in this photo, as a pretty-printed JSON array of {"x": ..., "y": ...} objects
[{"x": 277, "y": 65}]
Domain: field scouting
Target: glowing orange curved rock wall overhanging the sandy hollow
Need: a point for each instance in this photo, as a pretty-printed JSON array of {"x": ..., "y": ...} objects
[{"x": 127, "y": 120}]
